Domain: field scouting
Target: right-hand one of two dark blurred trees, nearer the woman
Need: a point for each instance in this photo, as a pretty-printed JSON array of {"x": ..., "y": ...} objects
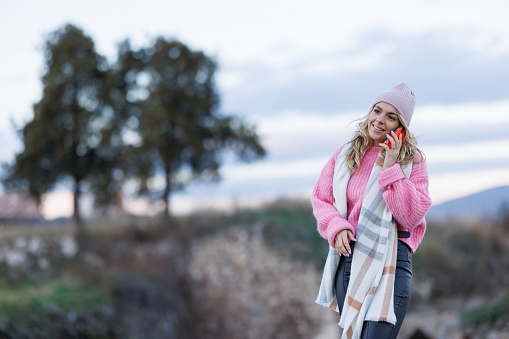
[{"x": 182, "y": 136}]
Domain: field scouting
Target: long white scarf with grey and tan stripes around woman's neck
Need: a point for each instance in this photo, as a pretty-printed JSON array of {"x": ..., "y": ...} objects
[{"x": 370, "y": 293}]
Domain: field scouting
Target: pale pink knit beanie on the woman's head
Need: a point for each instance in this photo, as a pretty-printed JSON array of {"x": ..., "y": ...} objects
[{"x": 402, "y": 98}]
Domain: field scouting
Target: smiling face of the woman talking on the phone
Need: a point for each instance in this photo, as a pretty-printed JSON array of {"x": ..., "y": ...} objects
[{"x": 381, "y": 121}]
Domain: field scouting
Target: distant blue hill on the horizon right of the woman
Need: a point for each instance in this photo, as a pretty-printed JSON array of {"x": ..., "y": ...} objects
[{"x": 485, "y": 204}]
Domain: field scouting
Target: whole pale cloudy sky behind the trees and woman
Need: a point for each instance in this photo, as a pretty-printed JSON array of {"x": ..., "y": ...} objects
[{"x": 303, "y": 71}]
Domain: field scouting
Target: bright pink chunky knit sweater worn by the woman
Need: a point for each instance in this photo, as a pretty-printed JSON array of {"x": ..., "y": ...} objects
[{"x": 407, "y": 199}]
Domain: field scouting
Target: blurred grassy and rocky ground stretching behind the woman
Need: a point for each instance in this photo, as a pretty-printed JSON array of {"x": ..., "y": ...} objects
[{"x": 247, "y": 274}]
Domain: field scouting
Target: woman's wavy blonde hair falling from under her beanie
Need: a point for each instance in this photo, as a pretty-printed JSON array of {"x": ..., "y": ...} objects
[{"x": 361, "y": 142}]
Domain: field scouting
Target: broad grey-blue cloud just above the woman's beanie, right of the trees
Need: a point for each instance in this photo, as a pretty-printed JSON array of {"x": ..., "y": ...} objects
[{"x": 347, "y": 78}]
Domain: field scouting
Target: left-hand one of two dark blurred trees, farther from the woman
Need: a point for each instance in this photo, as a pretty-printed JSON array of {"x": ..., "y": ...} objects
[{"x": 65, "y": 141}]
